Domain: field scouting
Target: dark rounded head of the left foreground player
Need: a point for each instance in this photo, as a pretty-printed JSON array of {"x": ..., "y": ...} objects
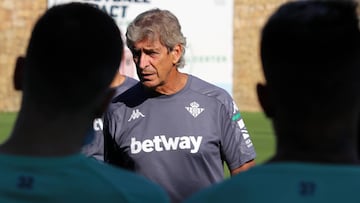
[{"x": 73, "y": 54}]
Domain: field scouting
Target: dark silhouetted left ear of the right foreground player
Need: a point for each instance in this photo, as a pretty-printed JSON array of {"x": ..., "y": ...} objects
[{"x": 265, "y": 99}]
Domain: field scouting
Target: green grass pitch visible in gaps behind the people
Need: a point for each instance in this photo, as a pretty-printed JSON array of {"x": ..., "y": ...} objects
[{"x": 257, "y": 124}]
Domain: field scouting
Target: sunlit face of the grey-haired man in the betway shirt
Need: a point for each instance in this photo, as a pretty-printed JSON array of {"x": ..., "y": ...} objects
[{"x": 154, "y": 63}]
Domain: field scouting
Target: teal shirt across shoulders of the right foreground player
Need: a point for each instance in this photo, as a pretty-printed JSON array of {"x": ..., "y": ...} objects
[{"x": 274, "y": 179}]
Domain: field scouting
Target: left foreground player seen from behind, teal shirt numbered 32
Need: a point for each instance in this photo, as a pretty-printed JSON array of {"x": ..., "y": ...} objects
[{"x": 73, "y": 54}]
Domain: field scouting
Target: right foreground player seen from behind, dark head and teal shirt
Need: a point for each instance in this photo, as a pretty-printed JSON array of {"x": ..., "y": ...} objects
[{"x": 310, "y": 55}]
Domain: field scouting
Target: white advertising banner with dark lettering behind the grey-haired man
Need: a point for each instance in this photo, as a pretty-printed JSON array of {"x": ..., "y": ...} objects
[{"x": 206, "y": 24}]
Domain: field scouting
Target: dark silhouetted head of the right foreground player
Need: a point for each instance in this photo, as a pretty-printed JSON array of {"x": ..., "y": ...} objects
[{"x": 310, "y": 55}]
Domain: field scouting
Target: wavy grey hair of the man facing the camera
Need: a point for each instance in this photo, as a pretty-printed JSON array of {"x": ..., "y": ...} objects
[{"x": 156, "y": 24}]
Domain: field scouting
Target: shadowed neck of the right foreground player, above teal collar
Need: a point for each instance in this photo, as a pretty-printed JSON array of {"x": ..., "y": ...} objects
[{"x": 325, "y": 141}]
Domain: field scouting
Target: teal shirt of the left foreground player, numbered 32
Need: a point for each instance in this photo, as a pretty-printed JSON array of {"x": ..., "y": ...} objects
[{"x": 74, "y": 178}]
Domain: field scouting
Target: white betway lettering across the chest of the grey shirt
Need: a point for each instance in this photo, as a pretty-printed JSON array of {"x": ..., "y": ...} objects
[{"x": 162, "y": 143}]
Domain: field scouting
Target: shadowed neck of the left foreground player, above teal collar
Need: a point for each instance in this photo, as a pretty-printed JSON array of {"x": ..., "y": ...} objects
[{"x": 34, "y": 136}]
